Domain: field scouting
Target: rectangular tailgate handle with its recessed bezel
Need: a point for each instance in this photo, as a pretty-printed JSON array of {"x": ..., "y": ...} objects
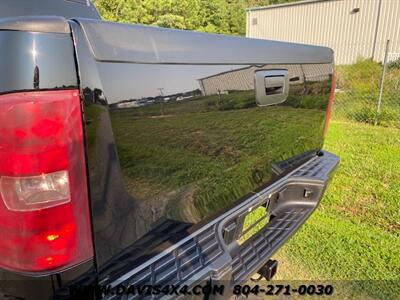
[{"x": 272, "y": 86}]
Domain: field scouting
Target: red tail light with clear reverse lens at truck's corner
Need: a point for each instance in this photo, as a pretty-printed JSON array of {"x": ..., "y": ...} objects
[{"x": 44, "y": 209}]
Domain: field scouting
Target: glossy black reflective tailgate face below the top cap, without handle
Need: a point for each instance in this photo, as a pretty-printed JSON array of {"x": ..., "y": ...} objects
[{"x": 171, "y": 145}]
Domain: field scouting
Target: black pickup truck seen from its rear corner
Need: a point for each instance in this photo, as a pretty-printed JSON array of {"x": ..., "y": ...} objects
[{"x": 136, "y": 156}]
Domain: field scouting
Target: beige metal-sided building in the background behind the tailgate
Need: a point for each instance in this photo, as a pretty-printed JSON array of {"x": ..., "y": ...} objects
[{"x": 352, "y": 28}]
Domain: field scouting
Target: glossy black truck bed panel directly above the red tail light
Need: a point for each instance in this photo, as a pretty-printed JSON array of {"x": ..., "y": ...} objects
[{"x": 30, "y": 61}]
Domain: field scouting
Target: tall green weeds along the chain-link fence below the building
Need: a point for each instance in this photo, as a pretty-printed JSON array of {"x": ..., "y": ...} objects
[{"x": 359, "y": 86}]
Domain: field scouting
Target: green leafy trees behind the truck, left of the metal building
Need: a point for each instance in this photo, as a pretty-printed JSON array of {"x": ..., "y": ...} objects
[{"x": 215, "y": 16}]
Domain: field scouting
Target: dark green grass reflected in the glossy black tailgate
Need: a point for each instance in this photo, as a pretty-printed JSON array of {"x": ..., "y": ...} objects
[{"x": 217, "y": 156}]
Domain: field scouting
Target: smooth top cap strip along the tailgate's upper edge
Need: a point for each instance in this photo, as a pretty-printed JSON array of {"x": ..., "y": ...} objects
[{"x": 128, "y": 43}]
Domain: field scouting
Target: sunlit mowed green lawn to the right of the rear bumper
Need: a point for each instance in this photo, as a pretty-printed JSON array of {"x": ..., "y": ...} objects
[{"x": 354, "y": 234}]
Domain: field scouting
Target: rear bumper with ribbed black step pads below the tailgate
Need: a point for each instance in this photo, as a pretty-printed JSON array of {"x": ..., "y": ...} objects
[{"x": 207, "y": 256}]
